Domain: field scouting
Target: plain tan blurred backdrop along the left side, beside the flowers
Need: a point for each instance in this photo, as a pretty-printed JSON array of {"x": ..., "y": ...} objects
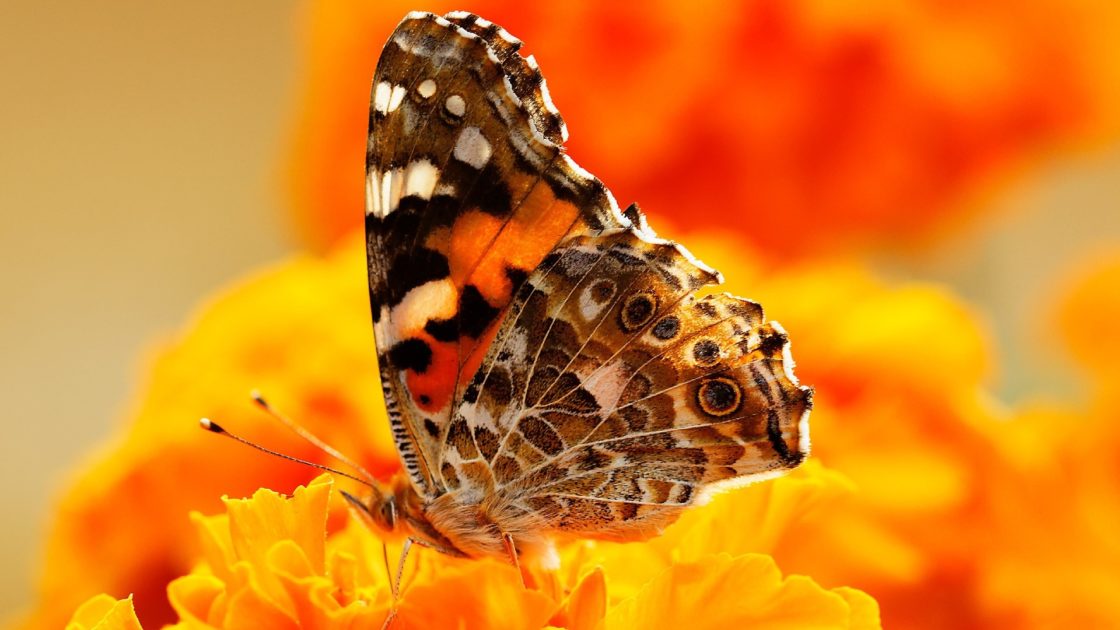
[{"x": 142, "y": 159}]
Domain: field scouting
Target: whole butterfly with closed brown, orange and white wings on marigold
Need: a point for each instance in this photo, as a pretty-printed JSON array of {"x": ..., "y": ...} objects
[{"x": 548, "y": 368}]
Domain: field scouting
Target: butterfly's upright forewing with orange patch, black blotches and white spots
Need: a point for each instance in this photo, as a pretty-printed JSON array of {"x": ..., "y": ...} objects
[{"x": 468, "y": 190}]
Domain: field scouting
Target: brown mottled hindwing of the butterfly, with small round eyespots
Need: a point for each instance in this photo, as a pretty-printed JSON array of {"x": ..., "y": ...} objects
[{"x": 612, "y": 396}]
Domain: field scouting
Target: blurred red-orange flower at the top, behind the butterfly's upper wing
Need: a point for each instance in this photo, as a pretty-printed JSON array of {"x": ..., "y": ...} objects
[{"x": 805, "y": 126}]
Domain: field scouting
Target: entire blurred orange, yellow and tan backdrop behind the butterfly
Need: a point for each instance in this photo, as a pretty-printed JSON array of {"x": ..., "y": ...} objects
[{"x": 927, "y": 196}]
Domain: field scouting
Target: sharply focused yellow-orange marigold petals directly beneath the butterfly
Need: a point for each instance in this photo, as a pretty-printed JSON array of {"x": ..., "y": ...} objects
[{"x": 269, "y": 563}]
